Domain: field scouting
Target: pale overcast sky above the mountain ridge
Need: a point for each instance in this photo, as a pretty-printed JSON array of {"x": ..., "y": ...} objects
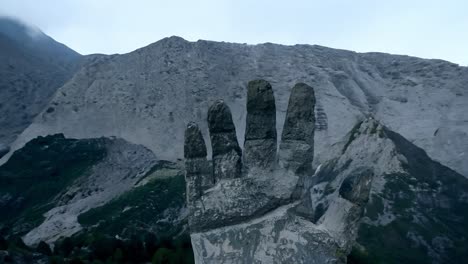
[{"x": 427, "y": 28}]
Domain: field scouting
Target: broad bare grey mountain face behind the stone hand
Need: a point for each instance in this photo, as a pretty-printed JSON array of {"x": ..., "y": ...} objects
[{"x": 149, "y": 95}]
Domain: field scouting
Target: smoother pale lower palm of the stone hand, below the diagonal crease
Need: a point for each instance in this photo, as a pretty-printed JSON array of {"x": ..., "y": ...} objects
[{"x": 277, "y": 237}]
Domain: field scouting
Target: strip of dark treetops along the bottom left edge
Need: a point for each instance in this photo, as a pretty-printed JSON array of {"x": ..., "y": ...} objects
[{"x": 98, "y": 248}]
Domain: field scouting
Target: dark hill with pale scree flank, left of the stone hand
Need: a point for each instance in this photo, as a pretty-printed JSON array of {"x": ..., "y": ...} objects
[{"x": 47, "y": 184}]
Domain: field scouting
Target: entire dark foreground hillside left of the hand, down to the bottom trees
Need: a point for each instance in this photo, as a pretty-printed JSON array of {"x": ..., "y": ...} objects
[{"x": 91, "y": 199}]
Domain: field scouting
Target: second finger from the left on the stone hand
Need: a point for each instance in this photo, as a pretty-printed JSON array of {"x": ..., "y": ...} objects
[{"x": 227, "y": 155}]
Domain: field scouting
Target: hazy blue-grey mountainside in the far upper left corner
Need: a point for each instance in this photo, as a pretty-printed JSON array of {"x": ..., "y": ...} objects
[{"x": 33, "y": 66}]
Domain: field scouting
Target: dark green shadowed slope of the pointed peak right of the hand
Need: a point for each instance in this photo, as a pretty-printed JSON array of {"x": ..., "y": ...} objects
[{"x": 432, "y": 216}]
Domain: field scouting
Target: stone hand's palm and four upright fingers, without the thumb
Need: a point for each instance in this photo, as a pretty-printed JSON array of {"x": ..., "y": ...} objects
[{"x": 255, "y": 206}]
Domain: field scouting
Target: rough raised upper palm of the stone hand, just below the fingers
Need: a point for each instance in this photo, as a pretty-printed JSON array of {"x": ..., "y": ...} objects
[{"x": 242, "y": 199}]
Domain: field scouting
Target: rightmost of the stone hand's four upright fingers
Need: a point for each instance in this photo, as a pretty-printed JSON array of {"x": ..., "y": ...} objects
[{"x": 296, "y": 151}]
